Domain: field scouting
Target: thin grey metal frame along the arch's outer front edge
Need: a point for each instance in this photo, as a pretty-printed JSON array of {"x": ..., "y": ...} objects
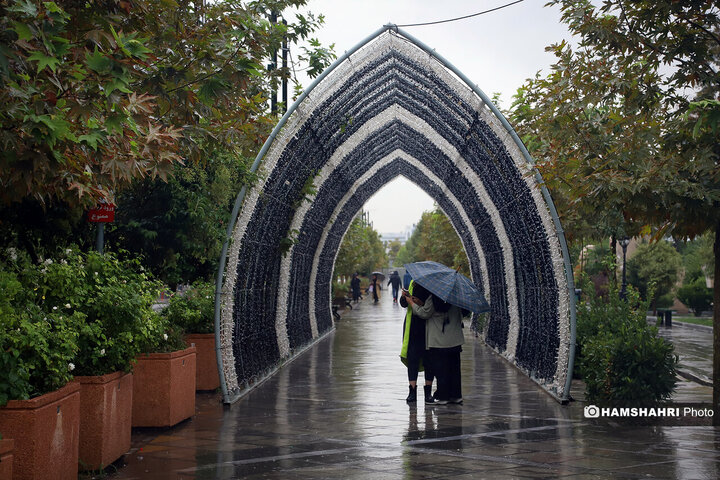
[{"x": 227, "y": 397}]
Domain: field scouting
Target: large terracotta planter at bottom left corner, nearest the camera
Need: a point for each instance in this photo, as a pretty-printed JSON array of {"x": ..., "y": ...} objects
[{"x": 46, "y": 431}]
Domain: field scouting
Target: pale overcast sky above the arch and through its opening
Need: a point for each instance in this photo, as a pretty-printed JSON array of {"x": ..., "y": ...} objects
[{"x": 497, "y": 51}]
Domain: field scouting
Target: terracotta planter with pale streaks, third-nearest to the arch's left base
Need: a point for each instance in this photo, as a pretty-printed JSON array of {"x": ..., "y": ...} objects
[{"x": 105, "y": 418}]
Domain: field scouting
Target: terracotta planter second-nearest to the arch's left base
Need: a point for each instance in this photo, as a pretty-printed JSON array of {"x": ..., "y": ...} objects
[{"x": 164, "y": 388}]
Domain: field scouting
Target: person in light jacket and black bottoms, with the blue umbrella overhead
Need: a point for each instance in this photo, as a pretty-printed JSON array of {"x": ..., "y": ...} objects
[{"x": 452, "y": 295}]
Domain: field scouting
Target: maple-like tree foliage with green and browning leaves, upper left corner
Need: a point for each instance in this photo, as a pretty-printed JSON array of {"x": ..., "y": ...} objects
[{"x": 95, "y": 95}]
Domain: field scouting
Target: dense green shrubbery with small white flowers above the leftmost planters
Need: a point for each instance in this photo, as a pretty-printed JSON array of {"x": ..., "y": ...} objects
[{"x": 81, "y": 314}]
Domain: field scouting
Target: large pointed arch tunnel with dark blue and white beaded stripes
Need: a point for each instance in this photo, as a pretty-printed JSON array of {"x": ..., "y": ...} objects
[{"x": 391, "y": 107}]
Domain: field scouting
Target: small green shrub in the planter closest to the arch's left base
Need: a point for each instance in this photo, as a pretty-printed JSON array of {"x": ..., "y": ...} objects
[{"x": 194, "y": 311}]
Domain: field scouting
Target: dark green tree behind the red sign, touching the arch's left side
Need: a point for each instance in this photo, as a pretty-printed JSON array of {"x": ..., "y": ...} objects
[{"x": 178, "y": 226}]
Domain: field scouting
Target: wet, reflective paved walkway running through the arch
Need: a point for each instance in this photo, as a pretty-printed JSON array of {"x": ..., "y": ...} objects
[{"x": 339, "y": 411}]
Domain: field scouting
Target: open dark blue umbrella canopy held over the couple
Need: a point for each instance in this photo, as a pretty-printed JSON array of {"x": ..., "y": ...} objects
[{"x": 449, "y": 285}]
